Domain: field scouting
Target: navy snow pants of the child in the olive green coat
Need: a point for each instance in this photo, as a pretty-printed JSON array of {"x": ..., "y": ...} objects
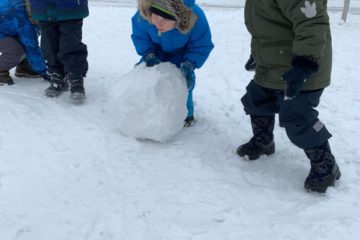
[{"x": 298, "y": 115}]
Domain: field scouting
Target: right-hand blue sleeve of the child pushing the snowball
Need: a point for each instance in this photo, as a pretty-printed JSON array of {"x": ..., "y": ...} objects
[{"x": 200, "y": 44}]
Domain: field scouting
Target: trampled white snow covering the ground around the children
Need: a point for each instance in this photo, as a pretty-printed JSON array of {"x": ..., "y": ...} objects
[{"x": 66, "y": 174}]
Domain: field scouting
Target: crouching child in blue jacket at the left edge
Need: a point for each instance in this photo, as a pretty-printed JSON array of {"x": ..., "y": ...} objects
[{"x": 18, "y": 37}]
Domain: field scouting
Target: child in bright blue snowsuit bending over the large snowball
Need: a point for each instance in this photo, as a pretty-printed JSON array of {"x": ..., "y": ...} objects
[{"x": 176, "y": 31}]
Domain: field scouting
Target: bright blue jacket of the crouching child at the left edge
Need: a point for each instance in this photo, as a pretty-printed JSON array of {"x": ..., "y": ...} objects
[{"x": 14, "y": 22}]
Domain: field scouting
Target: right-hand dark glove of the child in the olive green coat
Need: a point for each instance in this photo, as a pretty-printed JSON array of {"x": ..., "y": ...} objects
[{"x": 295, "y": 77}]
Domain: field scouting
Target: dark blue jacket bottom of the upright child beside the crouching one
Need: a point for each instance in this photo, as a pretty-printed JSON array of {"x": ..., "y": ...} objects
[{"x": 58, "y": 10}]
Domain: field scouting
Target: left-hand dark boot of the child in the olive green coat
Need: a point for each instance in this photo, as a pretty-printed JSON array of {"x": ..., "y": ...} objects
[{"x": 262, "y": 142}]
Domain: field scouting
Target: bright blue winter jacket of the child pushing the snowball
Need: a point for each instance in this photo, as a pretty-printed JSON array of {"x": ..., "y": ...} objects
[{"x": 174, "y": 46}]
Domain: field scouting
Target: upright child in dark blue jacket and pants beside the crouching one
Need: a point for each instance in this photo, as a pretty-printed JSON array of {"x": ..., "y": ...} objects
[{"x": 61, "y": 24}]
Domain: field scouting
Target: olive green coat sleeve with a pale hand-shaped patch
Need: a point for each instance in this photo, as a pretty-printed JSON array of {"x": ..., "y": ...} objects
[{"x": 311, "y": 26}]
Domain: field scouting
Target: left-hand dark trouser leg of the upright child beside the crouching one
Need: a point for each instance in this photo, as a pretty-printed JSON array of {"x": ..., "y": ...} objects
[{"x": 50, "y": 46}]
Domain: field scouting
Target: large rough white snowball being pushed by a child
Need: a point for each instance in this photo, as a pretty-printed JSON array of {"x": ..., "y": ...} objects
[{"x": 150, "y": 102}]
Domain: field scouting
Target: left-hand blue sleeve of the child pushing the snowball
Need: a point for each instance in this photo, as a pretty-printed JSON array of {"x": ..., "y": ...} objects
[{"x": 140, "y": 36}]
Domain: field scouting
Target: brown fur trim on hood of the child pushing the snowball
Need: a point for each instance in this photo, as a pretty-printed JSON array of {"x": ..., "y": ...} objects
[{"x": 182, "y": 9}]
